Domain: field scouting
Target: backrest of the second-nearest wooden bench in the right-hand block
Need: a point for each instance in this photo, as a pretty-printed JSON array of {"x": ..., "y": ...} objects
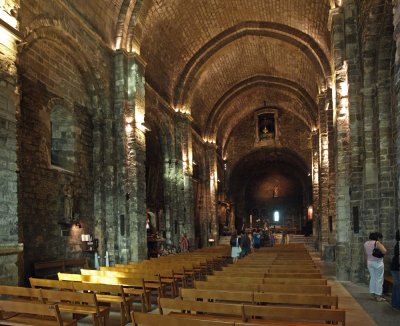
[{"x": 242, "y": 312}]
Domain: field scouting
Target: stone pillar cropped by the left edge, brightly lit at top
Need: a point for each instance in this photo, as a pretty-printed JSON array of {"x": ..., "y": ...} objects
[{"x": 10, "y": 248}]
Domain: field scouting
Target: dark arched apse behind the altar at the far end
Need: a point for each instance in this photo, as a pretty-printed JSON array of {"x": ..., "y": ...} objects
[{"x": 282, "y": 164}]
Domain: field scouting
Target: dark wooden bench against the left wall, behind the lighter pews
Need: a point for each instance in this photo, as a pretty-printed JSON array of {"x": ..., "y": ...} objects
[{"x": 49, "y": 269}]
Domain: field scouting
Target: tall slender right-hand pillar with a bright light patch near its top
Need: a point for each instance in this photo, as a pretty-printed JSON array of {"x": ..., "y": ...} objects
[{"x": 342, "y": 162}]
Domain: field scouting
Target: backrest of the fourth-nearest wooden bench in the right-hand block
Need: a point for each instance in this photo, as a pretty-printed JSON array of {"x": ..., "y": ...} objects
[{"x": 275, "y": 288}]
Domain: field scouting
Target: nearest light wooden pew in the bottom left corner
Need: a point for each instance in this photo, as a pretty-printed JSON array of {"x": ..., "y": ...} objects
[{"x": 14, "y": 312}]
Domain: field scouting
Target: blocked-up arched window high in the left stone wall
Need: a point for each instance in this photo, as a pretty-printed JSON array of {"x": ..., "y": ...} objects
[{"x": 64, "y": 133}]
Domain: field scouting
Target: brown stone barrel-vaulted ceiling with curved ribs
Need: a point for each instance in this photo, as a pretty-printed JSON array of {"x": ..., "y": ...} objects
[{"x": 221, "y": 59}]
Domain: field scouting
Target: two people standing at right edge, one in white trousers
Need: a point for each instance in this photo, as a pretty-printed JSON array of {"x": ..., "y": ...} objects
[{"x": 375, "y": 251}]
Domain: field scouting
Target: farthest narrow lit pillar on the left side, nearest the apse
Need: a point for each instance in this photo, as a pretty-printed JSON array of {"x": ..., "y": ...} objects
[{"x": 211, "y": 155}]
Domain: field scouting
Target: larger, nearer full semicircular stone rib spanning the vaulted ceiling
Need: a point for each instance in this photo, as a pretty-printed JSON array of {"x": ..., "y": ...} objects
[{"x": 304, "y": 42}]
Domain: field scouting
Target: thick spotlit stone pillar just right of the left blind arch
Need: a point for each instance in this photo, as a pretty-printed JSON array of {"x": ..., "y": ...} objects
[{"x": 130, "y": 208}]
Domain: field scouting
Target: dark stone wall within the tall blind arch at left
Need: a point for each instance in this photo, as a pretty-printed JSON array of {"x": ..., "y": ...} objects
[{"x": 55, "y": 71}]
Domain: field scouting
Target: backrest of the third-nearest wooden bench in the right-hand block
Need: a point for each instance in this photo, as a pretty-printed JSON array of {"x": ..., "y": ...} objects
[{"x": 321, "y": 301}]
